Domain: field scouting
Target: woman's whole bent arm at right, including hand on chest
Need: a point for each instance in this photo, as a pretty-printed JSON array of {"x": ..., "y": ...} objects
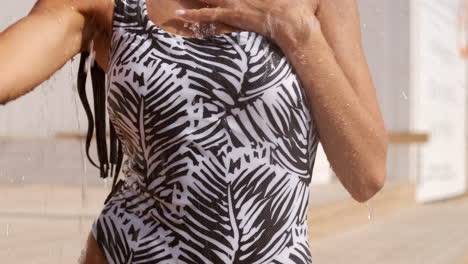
[{"x": 322, "y": 40}]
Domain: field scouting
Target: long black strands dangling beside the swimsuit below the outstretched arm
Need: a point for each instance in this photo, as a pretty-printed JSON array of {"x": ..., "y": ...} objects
[{"x": 98, "y": 78}]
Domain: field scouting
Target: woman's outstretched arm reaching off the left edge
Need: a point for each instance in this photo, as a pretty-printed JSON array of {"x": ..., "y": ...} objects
[{"x": 36, "y": 46}]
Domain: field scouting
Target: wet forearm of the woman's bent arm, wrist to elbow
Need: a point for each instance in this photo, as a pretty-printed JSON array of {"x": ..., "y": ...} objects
[{"x": 354, "y": 138}]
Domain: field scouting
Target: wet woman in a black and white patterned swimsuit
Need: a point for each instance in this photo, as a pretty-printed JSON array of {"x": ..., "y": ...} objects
[{"x": 220, "y": 129}]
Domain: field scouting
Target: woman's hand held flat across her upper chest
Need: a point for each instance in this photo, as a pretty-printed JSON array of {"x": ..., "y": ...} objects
[{"x": 282, "y": 20}]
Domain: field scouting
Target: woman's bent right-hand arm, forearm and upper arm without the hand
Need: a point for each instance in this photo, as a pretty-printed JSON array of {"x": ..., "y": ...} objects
[{"x": 332, "y": 67}]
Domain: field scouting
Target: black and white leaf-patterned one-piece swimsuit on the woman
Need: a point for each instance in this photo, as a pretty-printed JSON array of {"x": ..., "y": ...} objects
[{"x": 219, "y": 142}]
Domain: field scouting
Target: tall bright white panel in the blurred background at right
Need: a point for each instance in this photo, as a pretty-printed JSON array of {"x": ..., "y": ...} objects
[{"x": 439, "y": 82}]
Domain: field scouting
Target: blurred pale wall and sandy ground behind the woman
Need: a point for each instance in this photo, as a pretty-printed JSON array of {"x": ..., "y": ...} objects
[{"x": 416, "y": 52}]
